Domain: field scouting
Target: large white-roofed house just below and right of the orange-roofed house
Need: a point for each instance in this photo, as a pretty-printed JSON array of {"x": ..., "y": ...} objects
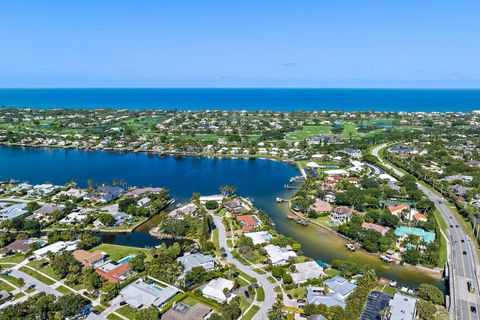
[{"x": 140, "y": 294}]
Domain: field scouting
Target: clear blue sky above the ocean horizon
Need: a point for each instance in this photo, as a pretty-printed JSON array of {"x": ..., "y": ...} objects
[{"x": 414, "y": 44}]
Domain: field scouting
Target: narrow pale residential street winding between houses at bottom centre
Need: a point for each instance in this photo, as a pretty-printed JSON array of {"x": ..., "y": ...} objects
[{"x": 262, "y": 281}]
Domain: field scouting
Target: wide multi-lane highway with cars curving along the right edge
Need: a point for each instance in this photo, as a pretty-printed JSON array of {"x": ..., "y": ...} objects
[{"x": 462, "y": 267}]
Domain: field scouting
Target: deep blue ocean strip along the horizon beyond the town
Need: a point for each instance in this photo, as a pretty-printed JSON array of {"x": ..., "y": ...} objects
[{"x": 409, "y": 100}]
